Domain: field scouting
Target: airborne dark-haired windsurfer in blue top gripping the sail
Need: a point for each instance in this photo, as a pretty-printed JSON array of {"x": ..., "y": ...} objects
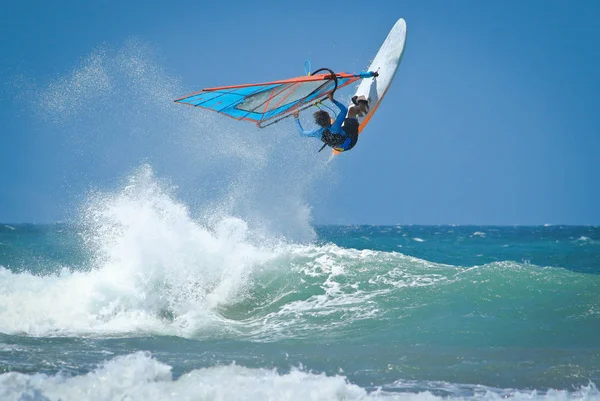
[{"x": 342, "y": 135}]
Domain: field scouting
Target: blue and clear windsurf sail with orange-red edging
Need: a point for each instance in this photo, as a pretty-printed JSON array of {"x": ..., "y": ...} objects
[{"x": 269, "y": 102}]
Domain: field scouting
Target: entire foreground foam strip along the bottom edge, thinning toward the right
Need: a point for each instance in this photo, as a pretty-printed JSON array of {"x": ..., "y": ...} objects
[{"x": 138, "y": 376}]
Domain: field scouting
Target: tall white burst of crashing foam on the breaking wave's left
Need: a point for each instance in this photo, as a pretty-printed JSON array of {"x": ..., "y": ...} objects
[{"x": 154, "y": 269}]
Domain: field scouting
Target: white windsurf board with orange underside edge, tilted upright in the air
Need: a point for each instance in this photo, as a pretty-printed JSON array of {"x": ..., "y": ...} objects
[{"x": 386, "y": 64}]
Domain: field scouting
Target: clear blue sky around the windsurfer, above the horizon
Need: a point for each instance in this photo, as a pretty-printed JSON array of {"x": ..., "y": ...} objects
[{"x": 493, "y": 117}]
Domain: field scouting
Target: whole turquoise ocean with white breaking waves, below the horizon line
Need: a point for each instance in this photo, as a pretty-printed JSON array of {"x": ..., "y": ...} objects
[{"x": 201, "y": 312}]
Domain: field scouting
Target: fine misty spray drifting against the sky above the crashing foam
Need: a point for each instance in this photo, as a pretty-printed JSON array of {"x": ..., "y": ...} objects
[{"x": 115, "y": 112}]
